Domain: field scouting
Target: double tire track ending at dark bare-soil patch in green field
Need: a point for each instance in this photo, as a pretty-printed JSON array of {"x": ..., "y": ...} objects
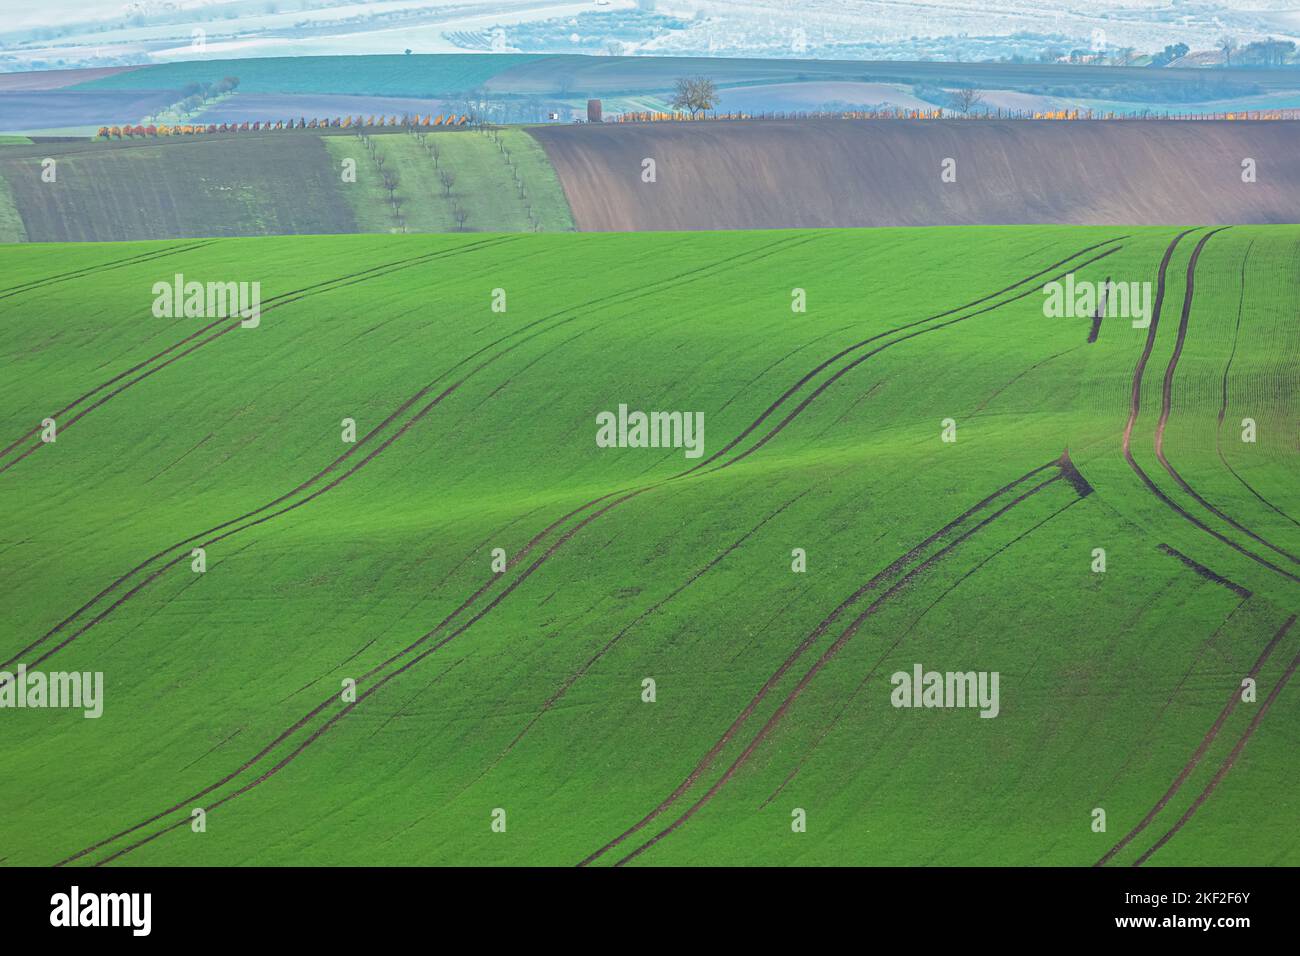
[{"x": 809, "y": 641}]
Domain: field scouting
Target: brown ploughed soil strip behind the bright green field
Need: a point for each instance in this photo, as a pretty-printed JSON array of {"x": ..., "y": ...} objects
[{"x": 808, "y": 174}]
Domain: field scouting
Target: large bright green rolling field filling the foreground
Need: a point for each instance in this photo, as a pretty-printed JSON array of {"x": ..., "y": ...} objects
[{"x": 522, "y": 690}]
